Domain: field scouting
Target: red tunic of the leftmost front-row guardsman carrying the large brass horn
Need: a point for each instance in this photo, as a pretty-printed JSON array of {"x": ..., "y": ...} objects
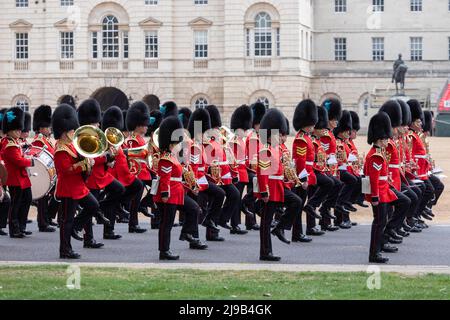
[{"x": 70, "y": 182}]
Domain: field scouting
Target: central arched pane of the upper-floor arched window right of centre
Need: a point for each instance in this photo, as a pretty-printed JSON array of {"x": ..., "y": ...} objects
[{"x": 263, "y": 35}]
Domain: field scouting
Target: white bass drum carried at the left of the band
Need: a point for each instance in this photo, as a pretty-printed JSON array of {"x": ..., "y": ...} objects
[{"x": 43, "y": 174}]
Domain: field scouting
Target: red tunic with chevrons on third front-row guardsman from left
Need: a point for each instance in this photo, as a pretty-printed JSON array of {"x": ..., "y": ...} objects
[{"x": 270, "y": 174}]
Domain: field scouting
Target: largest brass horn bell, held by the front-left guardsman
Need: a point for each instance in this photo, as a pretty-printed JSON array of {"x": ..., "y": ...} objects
[{"x": 90, "y": 141}]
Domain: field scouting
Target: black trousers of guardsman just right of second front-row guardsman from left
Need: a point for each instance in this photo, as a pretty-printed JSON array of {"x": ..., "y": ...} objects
[{"x": 211, "y": 202}]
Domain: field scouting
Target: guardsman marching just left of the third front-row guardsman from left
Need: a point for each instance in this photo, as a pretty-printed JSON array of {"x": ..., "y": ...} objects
[{"x": 241, "y": 122}]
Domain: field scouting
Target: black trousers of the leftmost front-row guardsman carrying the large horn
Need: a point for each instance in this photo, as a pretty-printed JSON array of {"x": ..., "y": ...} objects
[{"x": 68, "y": 222}]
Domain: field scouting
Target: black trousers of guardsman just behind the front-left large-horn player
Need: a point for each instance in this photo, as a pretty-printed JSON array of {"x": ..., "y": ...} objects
[{"x": 113, "y": 193}]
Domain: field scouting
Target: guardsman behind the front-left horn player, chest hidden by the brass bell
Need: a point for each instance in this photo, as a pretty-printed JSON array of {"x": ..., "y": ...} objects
[{"x": 99, "y": 179}]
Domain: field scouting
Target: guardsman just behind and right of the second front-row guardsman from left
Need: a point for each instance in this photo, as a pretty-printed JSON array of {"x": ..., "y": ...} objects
[{"x": 211, "y": 196}]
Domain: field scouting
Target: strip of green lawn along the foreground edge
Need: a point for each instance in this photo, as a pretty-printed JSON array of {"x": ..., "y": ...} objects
[{"x": 46, "y": 282}]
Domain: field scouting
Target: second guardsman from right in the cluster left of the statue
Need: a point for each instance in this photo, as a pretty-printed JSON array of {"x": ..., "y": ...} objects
[{"x": 343, "y": 205}]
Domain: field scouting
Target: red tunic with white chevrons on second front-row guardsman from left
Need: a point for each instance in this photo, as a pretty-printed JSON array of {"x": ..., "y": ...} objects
[{"x": 170, "y": 174}]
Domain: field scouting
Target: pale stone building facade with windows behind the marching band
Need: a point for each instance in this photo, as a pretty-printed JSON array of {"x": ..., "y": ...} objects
[{"x": 219, "y": 52}]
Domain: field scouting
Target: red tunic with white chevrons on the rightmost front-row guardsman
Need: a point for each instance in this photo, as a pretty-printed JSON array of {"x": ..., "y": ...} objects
[{"x": 376, "y": 168}]
